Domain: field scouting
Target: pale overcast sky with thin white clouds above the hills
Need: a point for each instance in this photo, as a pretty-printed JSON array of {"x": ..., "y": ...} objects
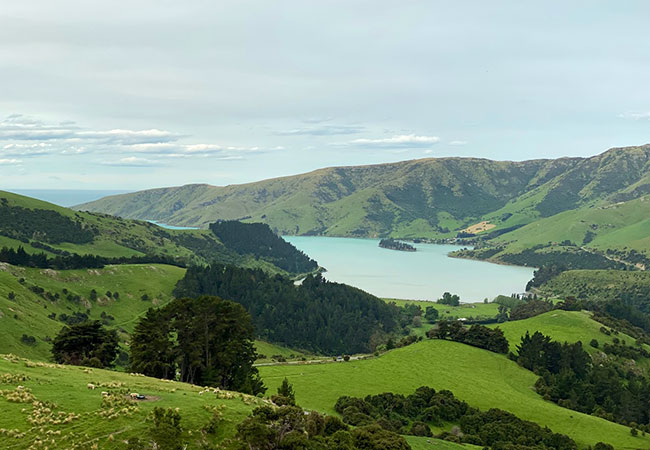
[{"x": 141, "y": 94}]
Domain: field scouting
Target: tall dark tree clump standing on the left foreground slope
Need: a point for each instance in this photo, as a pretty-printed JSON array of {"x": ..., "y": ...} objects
[{"x": 209, "y": 341}]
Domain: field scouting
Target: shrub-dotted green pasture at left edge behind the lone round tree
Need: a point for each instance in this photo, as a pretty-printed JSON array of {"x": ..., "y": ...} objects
[{"x": 28, "y": 312}]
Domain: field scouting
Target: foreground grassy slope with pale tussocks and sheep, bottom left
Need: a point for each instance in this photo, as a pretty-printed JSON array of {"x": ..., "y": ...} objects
[{"x": 66, "y": 387}]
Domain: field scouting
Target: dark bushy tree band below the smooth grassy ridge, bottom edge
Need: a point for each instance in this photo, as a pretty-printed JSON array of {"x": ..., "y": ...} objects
[{"x": 413, "y": 414}]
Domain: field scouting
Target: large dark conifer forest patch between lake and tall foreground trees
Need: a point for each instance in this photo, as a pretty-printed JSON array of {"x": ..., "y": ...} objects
[{"x": 317, "y": 315}]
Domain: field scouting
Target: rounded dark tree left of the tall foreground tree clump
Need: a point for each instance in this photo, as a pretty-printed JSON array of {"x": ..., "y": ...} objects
[{"x": 86, "y": 344}]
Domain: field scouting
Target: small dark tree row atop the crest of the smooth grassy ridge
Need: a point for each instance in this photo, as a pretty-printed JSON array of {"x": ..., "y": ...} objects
[{"x": 491, "y": 339}]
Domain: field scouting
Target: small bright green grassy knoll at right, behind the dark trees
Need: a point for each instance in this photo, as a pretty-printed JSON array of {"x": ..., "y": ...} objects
[{"x": 569, "y": 326}]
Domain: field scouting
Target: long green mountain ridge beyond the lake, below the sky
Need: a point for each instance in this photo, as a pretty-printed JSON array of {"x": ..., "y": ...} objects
[{"x": 428, "y": 198}]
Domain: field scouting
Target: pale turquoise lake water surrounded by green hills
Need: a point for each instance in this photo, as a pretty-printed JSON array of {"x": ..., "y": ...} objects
[{"x": 424, "y": 274}]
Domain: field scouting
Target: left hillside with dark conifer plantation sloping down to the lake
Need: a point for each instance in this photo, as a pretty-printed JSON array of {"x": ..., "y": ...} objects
[{"x": 41, "y": 227}]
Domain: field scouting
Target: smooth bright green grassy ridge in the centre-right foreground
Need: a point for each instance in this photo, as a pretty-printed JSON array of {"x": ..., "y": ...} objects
[{"x": 484, "y": 379}]
